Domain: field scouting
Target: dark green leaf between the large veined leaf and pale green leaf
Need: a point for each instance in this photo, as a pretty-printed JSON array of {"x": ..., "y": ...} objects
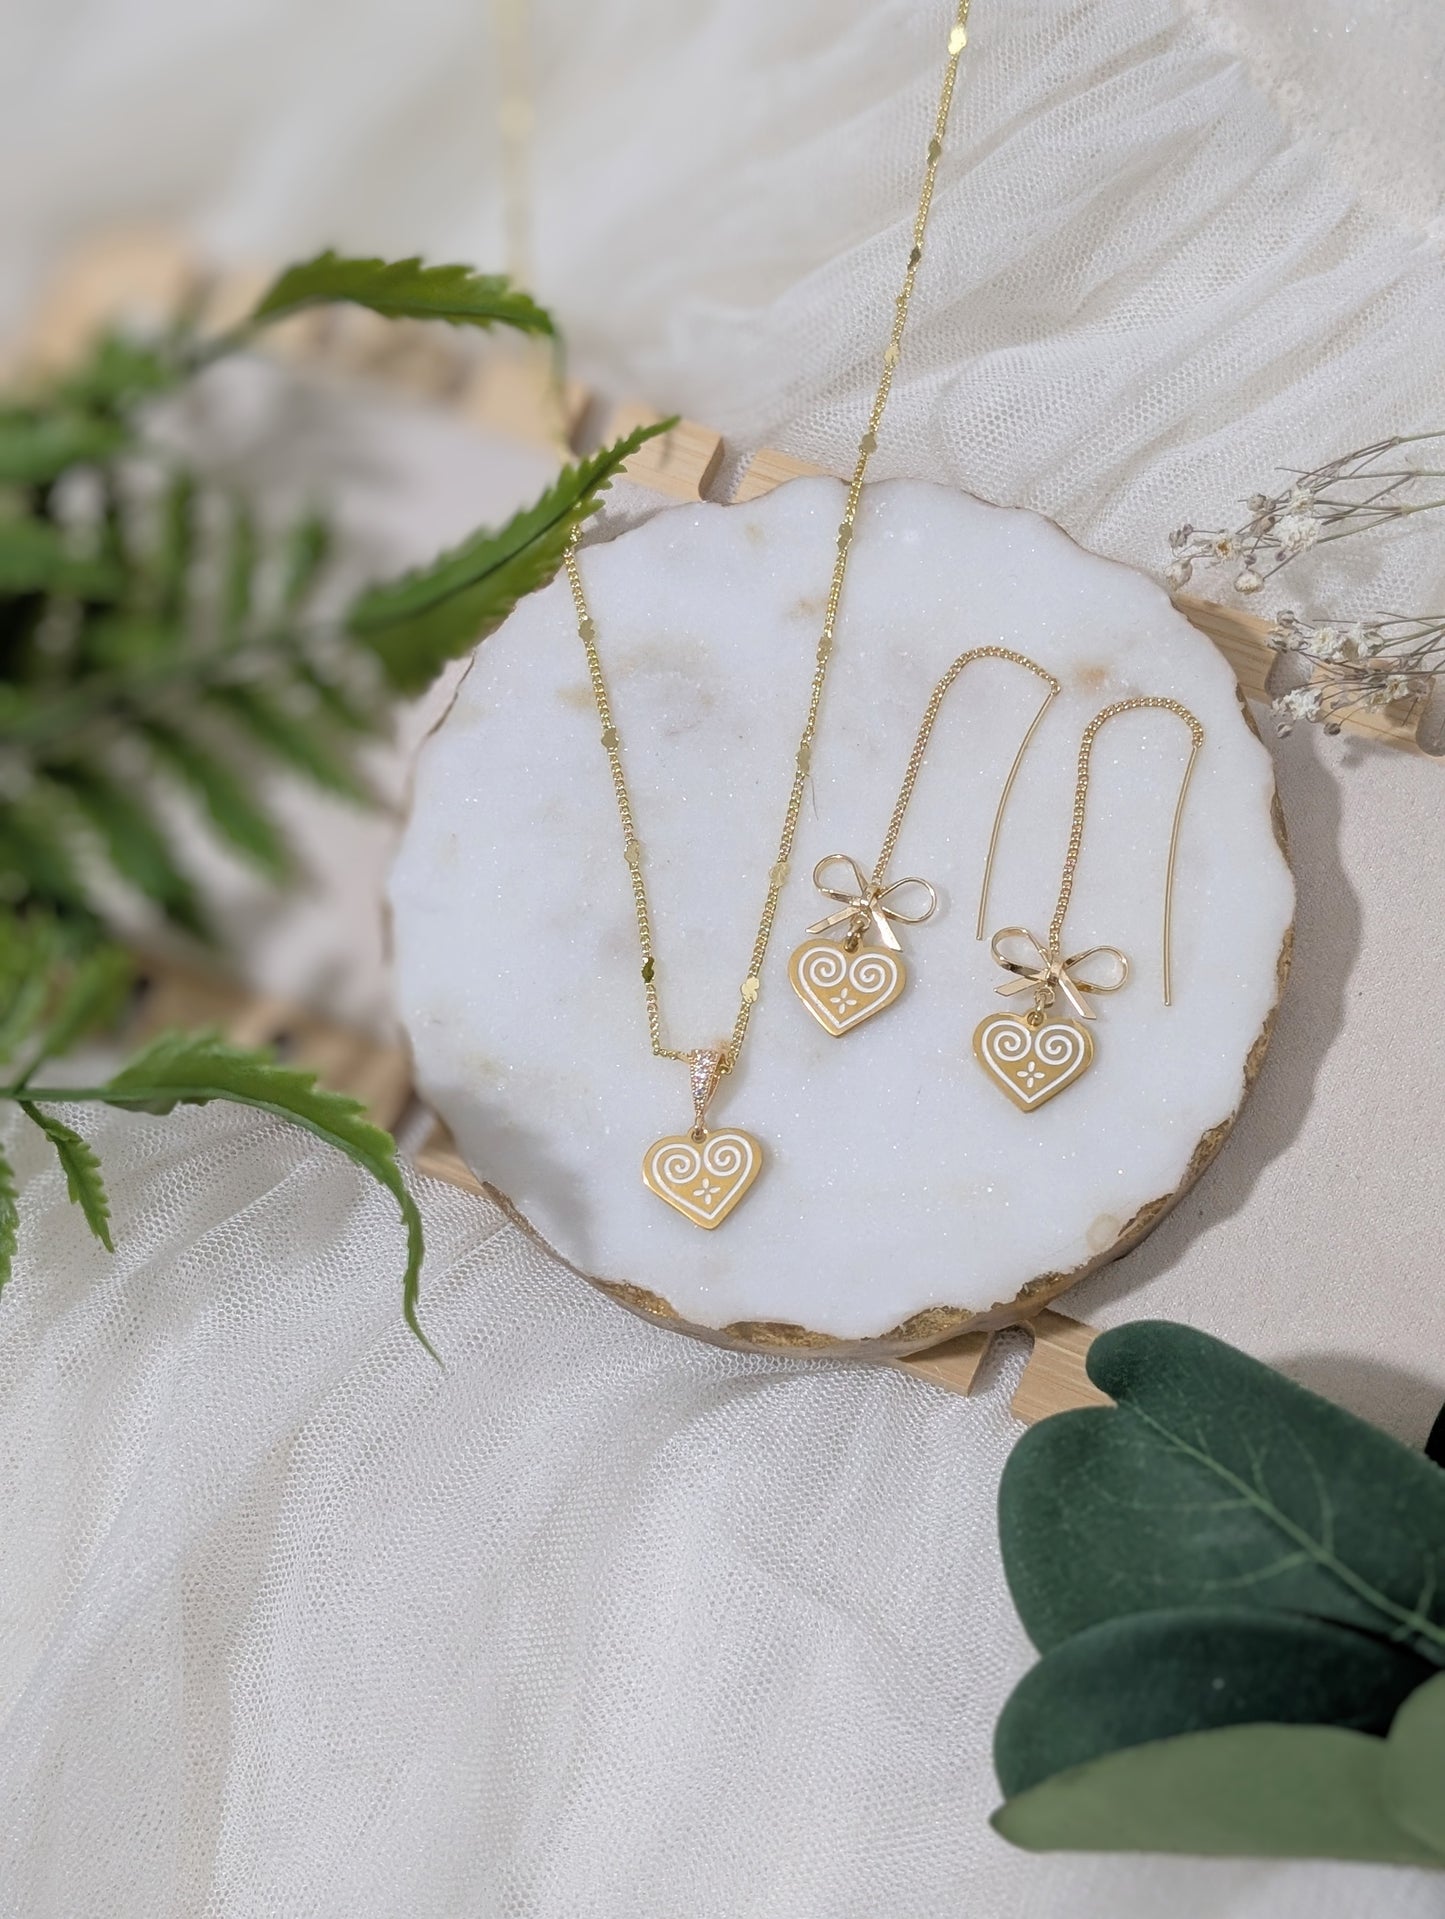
[{"x": 1156, "y": 1674}]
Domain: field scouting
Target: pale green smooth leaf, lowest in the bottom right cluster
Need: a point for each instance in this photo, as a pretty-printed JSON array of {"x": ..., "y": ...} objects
[{"x": 1243, "y": 1791}]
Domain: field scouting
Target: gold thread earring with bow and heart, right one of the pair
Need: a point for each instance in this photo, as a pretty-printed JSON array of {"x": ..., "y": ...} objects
[{"x": 1031, "y": 1056}]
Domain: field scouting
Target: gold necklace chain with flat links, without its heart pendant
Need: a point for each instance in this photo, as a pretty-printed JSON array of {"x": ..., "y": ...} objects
[{"x": 632, "y": 849}]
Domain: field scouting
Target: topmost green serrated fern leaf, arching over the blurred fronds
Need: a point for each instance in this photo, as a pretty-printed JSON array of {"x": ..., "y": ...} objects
[{"x": 404, "y": 289}]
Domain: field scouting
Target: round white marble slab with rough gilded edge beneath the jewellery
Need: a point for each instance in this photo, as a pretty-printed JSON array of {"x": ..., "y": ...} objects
[{"x": 899, "y": 1179}]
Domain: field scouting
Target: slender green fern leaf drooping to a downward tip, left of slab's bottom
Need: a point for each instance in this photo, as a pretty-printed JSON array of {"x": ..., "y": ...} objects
[{"x": 193, "y": 1068}]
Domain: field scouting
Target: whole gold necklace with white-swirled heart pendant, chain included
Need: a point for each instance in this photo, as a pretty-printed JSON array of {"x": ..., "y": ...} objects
[{"x": 701, "y": 1173}]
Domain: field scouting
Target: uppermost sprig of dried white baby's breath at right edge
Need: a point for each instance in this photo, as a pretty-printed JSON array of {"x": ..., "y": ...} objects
[{"x": 1346, "y": 496}]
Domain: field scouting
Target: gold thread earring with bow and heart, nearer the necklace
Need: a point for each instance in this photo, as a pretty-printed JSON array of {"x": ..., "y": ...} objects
[{"x": 841, "y": 982}]
